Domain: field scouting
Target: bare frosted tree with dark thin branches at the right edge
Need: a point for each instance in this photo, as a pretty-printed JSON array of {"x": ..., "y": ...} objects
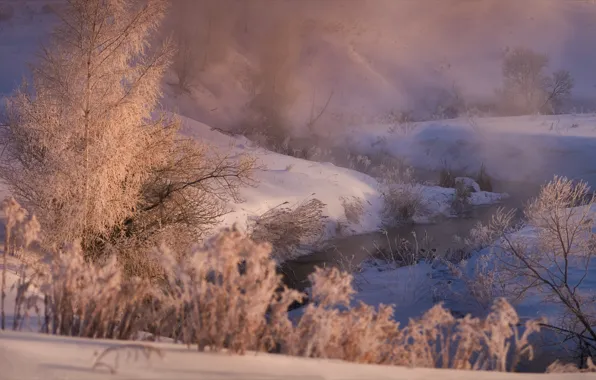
[{"x": 558, "y": 262}]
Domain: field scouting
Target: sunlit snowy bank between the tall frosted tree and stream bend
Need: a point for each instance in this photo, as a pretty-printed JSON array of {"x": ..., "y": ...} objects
[{"x": 293, "y": 180}]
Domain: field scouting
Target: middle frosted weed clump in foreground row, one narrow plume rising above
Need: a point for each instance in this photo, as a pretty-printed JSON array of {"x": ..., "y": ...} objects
[{"x": 330, "y": 329}]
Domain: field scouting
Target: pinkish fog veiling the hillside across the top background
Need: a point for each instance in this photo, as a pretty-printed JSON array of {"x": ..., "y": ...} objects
[{"x": 370, "y": 56}]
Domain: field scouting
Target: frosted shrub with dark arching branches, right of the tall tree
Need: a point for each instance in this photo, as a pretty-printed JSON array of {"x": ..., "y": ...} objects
[{"x": 182, "y": 201}]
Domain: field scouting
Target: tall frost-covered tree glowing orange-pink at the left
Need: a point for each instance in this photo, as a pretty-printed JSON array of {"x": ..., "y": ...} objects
[{"x": 79, "y": 136}]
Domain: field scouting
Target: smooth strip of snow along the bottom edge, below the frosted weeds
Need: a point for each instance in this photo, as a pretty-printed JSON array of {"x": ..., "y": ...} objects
[{"x": 34, "y": 356}]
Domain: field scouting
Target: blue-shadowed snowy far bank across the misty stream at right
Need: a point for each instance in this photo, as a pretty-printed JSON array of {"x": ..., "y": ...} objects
[{"x": 516, "y": 149}]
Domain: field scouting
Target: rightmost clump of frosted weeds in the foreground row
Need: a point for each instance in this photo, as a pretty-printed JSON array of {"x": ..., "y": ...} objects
[{"x": 439, "y": 340}]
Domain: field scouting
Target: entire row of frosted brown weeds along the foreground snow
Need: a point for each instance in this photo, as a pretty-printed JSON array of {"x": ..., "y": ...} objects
[{"x": 227, "y": 295}]
